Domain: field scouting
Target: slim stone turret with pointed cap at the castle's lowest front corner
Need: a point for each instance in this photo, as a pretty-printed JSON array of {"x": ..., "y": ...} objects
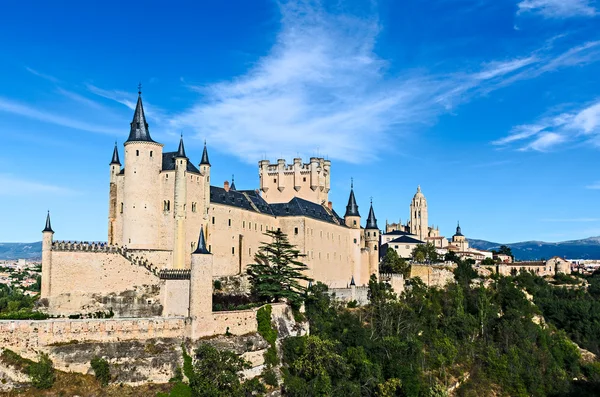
[{"x": 201, "y": 288}]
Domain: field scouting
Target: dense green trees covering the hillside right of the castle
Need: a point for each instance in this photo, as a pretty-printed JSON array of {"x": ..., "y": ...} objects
[{"x": 423, "y": 342}]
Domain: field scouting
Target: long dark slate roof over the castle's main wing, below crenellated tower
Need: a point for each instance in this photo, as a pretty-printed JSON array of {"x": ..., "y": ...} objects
[{"x": 252, "y": 201}]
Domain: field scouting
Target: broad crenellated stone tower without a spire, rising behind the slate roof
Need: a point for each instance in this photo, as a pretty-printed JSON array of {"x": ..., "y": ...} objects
[{"x": 279, "y": 183}]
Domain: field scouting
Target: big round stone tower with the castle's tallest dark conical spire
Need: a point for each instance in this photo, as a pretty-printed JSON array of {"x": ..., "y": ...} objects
[{"x": 141, "y": 192}]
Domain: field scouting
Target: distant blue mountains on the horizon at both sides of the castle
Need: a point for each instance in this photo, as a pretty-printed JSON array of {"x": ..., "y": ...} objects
[{"x": 588, "y": 248}]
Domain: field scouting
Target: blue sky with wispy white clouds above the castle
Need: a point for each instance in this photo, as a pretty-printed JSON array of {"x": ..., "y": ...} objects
[{"x": 493, "y": 107}]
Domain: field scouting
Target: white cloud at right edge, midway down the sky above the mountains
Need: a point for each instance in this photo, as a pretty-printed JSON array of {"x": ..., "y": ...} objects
[{"x": 550, "y": 131}]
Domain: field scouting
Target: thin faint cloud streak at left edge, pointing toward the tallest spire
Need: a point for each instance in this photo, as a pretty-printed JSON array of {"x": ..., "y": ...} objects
[{"x": 16, "y": 108}]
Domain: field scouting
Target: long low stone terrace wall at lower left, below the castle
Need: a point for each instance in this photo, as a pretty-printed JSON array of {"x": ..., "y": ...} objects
[{"x": 22, "y": 335}]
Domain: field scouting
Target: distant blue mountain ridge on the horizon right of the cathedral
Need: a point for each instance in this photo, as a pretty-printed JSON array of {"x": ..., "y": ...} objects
[{"x": 588, "y": 248}]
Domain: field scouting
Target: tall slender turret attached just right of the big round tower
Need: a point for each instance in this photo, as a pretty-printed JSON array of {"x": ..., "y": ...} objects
[{"x": 181, "y": 162}]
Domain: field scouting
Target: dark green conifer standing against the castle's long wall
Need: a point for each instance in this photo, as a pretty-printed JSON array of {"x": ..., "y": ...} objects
[{"x": 277, "y": 272}]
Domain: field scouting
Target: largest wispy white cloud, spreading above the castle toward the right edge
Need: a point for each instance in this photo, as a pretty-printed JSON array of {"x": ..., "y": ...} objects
[{"x": 322, "y": 87}]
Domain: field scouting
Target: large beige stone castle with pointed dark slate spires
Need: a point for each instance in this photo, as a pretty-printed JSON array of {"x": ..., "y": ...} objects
[{"x": 154, "y": 263}]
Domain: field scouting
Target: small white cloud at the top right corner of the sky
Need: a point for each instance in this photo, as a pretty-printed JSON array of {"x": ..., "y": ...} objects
[{"x": 558, "y": 8}]
